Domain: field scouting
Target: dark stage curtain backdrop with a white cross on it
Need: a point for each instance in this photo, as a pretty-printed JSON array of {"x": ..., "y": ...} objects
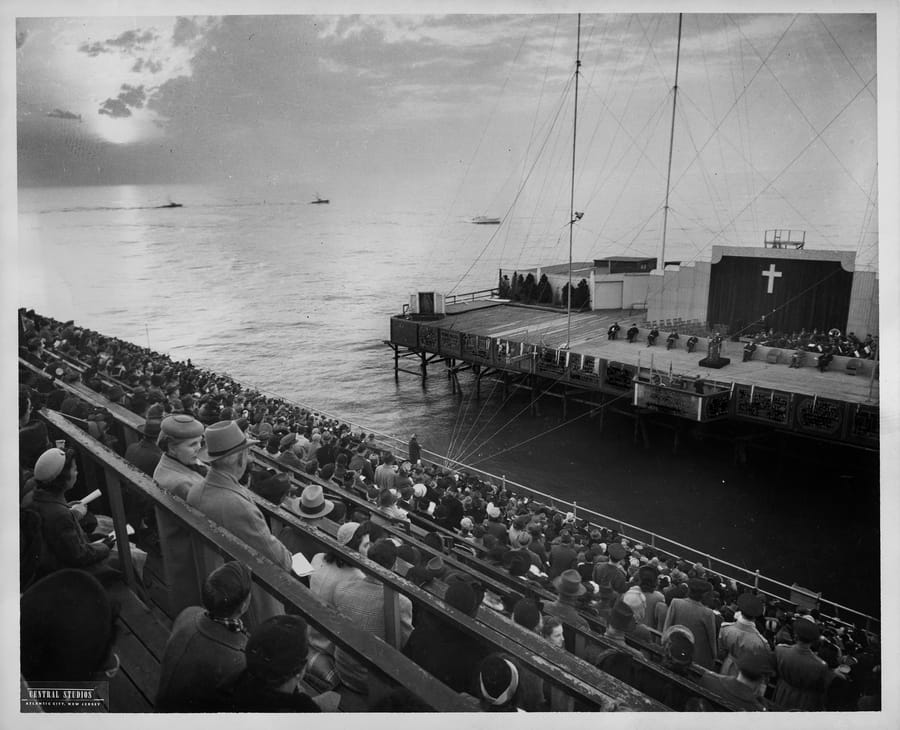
[{"x": 790, "y": 293}]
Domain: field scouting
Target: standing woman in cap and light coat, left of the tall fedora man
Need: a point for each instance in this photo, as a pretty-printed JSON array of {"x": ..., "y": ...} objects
[{"x": 180, "y": 439}]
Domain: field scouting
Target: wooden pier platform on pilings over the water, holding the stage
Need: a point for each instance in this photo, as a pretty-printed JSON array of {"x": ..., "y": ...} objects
[{"x": 526, "y": 347}]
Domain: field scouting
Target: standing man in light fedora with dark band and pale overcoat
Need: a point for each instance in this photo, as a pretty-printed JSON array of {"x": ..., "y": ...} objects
[{"x": 224, "y": 500}]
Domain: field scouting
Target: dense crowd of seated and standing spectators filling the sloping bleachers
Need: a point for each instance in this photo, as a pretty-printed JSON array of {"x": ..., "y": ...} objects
[{"x": 233, "y": 647}]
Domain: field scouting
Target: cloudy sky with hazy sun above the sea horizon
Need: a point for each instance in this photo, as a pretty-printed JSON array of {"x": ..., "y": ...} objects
[{"x": 776, "y": 122}]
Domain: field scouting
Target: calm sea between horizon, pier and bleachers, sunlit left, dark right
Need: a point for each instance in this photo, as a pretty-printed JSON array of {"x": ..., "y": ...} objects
[{"x": 296, "y": 298}]
